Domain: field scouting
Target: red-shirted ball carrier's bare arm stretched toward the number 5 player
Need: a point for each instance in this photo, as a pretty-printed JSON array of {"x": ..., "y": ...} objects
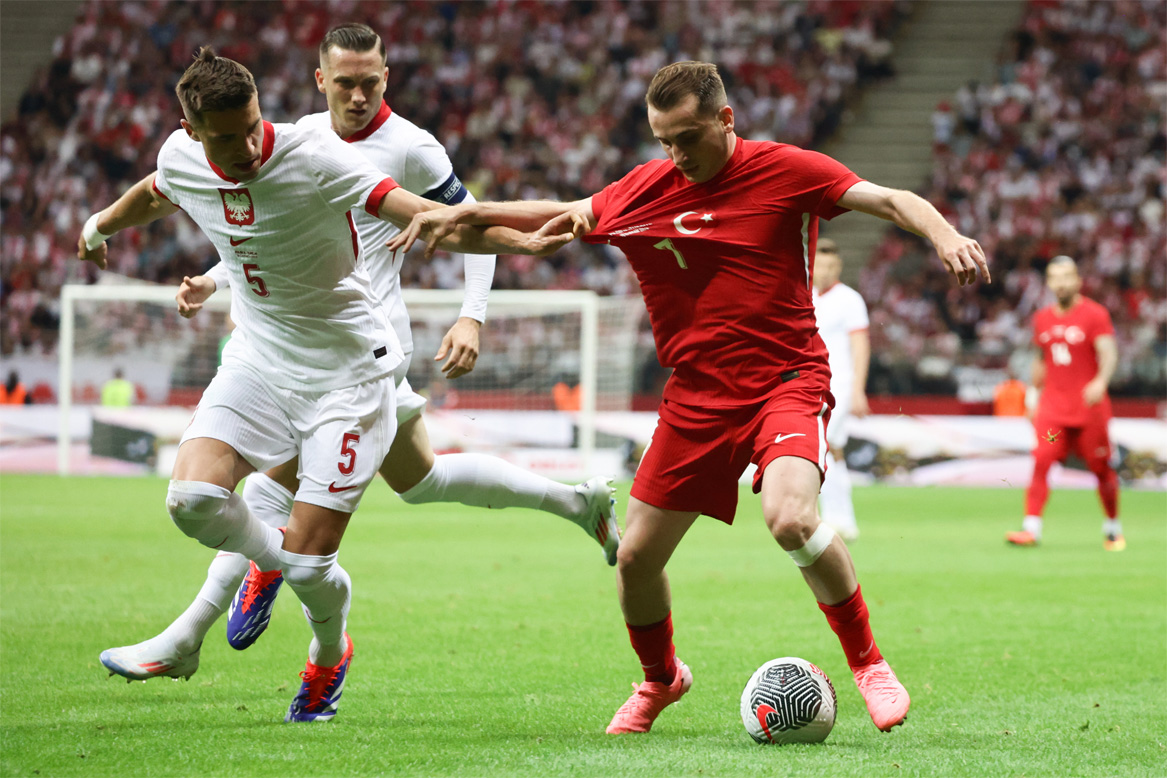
[{"x": 435, "y": 226}]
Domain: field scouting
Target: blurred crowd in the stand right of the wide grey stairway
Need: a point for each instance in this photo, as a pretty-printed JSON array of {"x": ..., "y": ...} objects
[{"x": 1063, "y": 155}]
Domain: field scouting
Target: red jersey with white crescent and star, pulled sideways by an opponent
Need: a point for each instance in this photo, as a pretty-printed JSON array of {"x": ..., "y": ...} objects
[{"x": 726, "y": 265}]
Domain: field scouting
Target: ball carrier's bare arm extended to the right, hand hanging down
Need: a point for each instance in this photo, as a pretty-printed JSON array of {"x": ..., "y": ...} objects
[{"x": 962, "y": 256}]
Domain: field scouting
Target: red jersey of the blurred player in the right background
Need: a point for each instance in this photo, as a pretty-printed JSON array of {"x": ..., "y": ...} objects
[{"x": 1067, "y": 344}]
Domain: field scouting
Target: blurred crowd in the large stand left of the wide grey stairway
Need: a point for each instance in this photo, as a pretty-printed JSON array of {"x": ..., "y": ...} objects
[{"x": 532, "y": 100}]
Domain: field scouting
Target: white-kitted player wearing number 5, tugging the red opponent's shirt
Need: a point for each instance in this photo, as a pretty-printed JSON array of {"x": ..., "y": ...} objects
[{"x": 310, "y": 370}]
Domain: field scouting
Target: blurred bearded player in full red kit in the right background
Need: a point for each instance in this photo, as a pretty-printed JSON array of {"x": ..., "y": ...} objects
[{"x": 1079, "y": 356}]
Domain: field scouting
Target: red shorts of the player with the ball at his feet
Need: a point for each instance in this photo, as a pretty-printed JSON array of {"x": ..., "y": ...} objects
[{"x": 697, "y": 455}]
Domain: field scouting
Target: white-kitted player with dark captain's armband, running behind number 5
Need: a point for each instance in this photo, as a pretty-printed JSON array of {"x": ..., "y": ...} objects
[{"x": 353, "y": 78}]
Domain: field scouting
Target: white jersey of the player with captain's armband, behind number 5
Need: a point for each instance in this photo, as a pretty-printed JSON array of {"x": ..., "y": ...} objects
[{"x": 420, "y": 164}]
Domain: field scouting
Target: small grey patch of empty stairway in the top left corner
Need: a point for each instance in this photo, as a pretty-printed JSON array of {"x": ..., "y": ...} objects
[{"x": 29, "y": 30}]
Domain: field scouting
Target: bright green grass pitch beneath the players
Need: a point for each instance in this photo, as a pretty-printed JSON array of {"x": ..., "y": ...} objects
[{"x": 491, "y": 644}]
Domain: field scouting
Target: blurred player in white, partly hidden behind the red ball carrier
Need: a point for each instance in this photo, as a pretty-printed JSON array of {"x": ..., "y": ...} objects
[{"x": 842, "y": 318}]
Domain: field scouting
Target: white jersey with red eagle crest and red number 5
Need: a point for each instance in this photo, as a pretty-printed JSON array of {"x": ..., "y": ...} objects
[{"x": 306, "y": 313}]
